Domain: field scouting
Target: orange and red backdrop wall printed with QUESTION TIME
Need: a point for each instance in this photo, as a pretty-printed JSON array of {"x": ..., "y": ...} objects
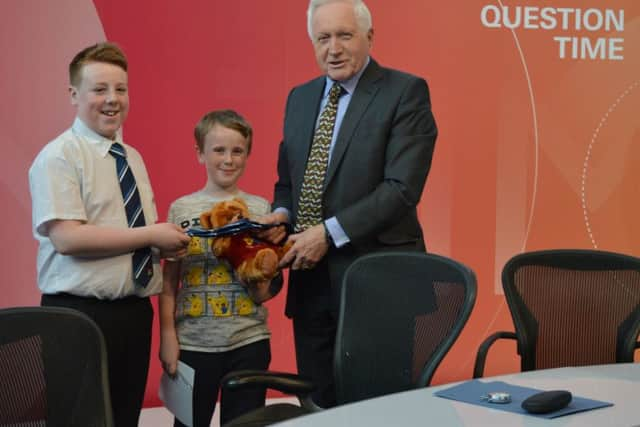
[{"x": 536, "y": 101}]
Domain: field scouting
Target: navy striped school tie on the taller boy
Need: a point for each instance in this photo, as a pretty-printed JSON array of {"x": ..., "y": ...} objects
[{"x": 142, "y": 262}]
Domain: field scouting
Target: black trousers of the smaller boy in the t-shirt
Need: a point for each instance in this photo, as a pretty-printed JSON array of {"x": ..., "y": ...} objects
[{"x": 209, "y": 370}]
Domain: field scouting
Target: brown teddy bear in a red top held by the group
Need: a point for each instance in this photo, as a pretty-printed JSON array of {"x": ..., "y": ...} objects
[{"x": 255, "y": 261}]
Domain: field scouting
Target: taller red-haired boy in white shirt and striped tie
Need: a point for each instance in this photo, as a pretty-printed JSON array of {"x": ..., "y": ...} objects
[{"x": 86, "y": 247}]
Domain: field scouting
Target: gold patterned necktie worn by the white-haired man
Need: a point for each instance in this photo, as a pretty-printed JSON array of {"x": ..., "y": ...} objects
[{"x": 310, "y": 203}]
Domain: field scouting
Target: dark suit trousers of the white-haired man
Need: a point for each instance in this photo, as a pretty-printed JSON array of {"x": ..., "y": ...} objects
[{"x": 315, "y": 323}]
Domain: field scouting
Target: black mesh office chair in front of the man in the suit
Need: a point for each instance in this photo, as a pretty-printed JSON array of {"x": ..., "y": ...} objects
[{"x": 400, "y": 313}]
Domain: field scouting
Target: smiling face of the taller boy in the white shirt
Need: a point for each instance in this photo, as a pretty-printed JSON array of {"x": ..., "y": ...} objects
[{"x": 102, "y": 97}]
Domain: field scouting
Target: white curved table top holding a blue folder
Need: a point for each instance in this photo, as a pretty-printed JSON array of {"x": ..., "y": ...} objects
[{"x": 619, "y": 384}]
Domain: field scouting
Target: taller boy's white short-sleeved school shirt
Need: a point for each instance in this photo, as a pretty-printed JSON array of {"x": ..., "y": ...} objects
[{"x": 74, "y": 178}]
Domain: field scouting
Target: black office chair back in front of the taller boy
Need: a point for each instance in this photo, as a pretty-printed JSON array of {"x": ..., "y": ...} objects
[{"x": 53, "y": 369}]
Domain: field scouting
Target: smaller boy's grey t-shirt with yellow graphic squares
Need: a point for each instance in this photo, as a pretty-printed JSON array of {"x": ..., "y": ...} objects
[{"x": 213, "y": 310}]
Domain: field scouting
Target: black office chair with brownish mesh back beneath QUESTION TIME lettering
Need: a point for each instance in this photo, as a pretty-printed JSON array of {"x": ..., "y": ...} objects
[{"x": 570, "y": 307}]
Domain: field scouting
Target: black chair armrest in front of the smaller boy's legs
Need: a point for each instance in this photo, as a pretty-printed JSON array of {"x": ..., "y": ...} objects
[{"x": 281, "y": 381}]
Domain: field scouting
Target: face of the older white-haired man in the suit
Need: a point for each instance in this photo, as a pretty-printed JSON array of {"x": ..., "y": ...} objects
[{"x": 340, "y": 45}]
